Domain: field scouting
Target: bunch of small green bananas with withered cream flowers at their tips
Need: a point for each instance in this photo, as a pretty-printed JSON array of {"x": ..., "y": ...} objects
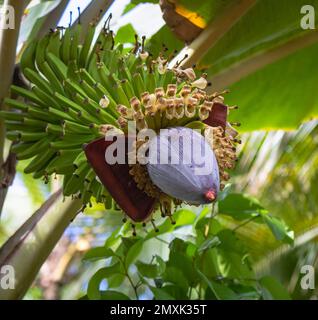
[{"x": 81, "y": 90}]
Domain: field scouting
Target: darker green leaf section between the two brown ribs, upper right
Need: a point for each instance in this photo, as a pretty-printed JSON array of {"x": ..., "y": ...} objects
[{"x": 266, "y": 25}]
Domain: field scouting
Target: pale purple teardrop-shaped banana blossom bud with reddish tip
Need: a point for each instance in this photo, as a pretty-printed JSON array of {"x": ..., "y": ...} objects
[{"x": 183, "y": 165}]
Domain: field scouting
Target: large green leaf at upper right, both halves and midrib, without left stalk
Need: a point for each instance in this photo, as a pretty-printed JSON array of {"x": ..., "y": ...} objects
[{"x": 273, "y": 96}]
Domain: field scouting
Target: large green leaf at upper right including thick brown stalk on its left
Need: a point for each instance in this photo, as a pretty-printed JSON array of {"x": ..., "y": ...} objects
[{"x": 264, "y": 57}]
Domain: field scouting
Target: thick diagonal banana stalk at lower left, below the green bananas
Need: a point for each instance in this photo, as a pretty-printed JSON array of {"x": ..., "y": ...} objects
[{"x": 32, "y": 243}]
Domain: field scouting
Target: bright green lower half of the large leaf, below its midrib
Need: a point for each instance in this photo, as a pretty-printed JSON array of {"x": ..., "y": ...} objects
[{"x": 279, "y": 95}]
